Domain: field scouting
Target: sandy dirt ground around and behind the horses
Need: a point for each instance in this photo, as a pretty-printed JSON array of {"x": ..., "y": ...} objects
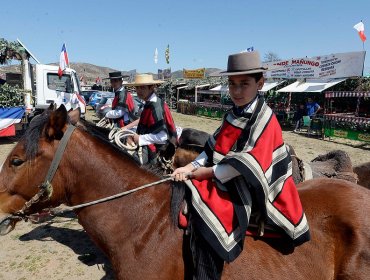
[{"x": 60, "y": 249}]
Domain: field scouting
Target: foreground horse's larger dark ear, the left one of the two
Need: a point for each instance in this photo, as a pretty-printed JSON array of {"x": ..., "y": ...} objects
[{"x": 57, "y": 122}]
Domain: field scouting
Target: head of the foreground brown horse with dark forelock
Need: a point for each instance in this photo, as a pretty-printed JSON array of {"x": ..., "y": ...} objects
[{"x": 25, "y": 168}]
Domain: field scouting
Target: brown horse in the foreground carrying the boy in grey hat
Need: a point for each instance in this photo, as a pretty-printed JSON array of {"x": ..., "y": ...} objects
[{"x": 136, "y": 231}]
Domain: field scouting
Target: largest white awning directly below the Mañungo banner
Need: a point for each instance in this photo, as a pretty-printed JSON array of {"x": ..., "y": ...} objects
[{"x": 310, "y": 85}]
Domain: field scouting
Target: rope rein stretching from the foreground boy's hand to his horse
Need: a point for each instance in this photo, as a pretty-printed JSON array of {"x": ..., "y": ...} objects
[{"x": 71, "y": 208}]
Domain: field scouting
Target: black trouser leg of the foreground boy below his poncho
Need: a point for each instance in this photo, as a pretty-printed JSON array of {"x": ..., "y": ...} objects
[{"x": 207, "y": 264}]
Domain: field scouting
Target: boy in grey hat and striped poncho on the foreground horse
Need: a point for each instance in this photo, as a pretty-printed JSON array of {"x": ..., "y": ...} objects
[{"x": 244, "y": 162}]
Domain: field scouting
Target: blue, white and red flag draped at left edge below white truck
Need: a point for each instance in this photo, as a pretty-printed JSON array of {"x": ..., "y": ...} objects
[{"x": 8, "y": 117}]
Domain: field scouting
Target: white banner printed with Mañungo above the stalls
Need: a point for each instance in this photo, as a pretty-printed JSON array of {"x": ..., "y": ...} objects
[{"x": 340, "y": 65}]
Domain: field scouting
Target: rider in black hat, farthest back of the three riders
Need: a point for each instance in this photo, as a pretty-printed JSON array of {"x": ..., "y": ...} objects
[{"x": 124, "y": 110}]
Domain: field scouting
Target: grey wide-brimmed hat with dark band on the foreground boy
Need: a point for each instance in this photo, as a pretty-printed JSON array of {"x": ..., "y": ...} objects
[{"x": 243, "y": 63}]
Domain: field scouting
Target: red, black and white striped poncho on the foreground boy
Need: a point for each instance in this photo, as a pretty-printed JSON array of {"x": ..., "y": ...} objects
[{"x": 253, "y": 145}]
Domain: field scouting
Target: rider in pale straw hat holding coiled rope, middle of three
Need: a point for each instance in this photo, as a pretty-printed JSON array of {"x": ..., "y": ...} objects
[{"x": 156, "y": 127}]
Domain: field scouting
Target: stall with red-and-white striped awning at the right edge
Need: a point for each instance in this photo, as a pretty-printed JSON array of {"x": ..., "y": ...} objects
[{"x": 347, "y": 115}]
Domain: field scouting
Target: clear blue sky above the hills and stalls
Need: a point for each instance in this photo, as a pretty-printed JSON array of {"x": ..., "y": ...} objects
[{"x": 123, "y": 35}]
